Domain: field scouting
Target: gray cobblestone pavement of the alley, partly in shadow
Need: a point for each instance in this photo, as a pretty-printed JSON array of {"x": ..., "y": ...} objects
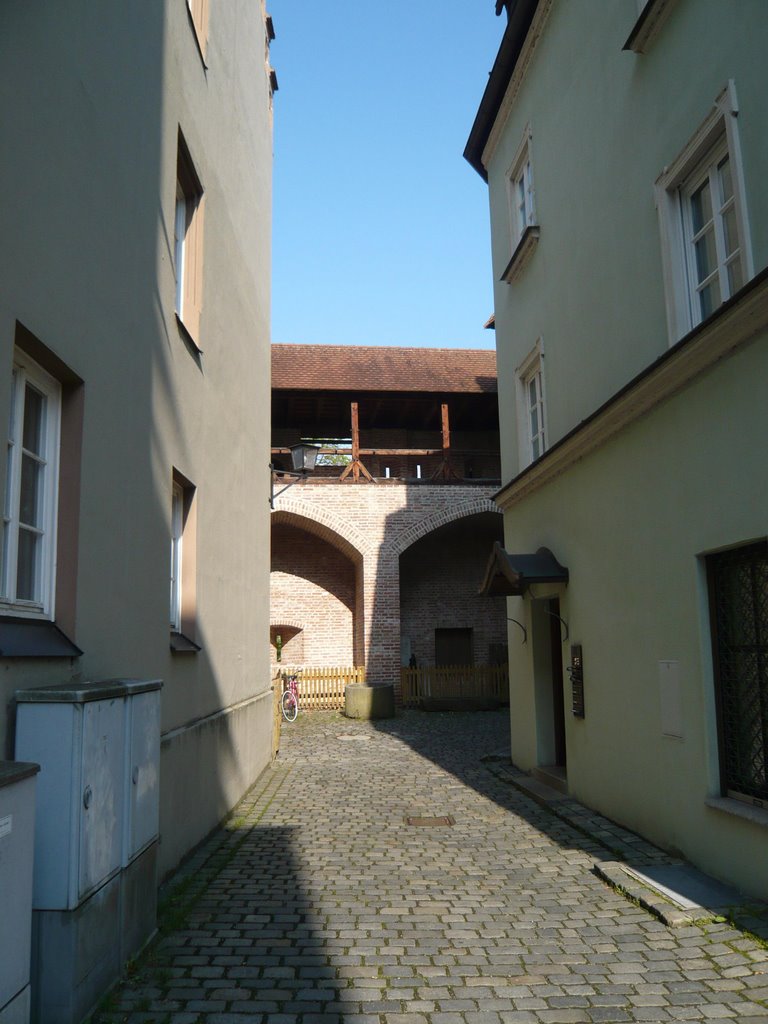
[{"x": 320, "y": 905}]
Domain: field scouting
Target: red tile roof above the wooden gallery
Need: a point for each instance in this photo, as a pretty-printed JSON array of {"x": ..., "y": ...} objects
[{"x": 358, "y": 368}]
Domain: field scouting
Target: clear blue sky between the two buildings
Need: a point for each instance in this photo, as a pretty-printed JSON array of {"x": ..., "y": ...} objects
[{"x": 381, "y": 228}]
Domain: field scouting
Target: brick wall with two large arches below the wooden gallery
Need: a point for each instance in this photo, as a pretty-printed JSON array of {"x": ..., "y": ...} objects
[{"x": 369, "y": 528}]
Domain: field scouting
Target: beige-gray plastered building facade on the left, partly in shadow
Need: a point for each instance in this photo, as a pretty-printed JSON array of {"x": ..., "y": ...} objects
[{"x": 135, "y": 369}]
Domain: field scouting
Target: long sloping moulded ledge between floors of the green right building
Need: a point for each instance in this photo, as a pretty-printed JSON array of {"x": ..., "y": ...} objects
[{"x": 736, "y": 324}]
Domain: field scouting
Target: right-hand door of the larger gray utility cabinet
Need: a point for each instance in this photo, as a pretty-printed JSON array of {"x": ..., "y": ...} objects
[{"x": 143, "y": 802}]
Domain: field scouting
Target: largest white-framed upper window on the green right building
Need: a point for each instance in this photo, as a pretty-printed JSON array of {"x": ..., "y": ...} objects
[{"x": 705, "y": 233}]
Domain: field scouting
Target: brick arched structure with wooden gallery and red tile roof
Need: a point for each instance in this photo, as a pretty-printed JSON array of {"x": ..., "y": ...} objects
[{"x": 377, "y": 558}]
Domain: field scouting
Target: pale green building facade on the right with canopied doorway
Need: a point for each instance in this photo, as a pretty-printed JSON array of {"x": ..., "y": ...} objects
[{"x": 630, "y": 243}]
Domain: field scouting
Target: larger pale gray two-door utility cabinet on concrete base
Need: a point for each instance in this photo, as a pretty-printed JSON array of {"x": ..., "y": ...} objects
[{"x": 95, "y": 892}]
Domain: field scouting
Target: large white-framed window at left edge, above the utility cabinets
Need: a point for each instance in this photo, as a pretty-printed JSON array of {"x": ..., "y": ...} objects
[{"x": 31, "y": 491}]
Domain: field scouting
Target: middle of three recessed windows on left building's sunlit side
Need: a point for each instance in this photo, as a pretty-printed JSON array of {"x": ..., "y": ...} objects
[{"x": 189, "y": 243}]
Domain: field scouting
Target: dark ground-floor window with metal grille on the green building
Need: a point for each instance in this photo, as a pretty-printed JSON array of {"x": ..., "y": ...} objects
[{"x": 739, "y": 606}]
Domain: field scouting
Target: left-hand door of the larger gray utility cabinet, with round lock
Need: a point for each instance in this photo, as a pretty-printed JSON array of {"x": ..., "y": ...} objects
[{"x": 103, "y": 793}]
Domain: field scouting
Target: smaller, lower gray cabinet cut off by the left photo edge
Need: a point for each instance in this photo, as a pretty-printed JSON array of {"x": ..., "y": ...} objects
[{"x": 17, "y": 839}]
